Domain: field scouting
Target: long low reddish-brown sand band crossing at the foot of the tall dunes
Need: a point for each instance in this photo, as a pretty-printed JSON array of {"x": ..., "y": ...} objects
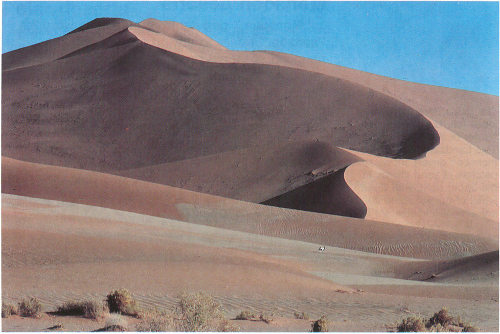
[{"x": 92, "y": 188}]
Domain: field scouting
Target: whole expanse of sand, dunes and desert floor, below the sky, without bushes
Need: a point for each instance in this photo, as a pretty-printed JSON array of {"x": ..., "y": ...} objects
[{"x": 172, "y": 164}]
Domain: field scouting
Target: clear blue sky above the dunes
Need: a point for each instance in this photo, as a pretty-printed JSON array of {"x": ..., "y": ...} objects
[{"x": 452, "y": 44}]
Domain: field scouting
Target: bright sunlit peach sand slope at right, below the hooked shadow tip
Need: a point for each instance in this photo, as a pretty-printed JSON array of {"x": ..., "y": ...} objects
[{"x": 454, "y": 188}]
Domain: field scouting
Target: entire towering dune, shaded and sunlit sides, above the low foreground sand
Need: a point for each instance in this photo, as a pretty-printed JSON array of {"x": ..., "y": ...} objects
[{"x": 117, "y": 120}]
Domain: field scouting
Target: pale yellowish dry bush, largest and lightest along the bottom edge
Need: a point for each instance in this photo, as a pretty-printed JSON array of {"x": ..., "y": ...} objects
[{"x": 198, "y": 312}]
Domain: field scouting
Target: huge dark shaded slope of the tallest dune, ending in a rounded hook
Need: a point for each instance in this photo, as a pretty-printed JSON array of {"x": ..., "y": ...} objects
[{"x": 140, "y": 105}]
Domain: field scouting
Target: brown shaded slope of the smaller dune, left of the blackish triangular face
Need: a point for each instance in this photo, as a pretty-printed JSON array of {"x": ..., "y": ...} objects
[{"x": 255, "y": 174}]
